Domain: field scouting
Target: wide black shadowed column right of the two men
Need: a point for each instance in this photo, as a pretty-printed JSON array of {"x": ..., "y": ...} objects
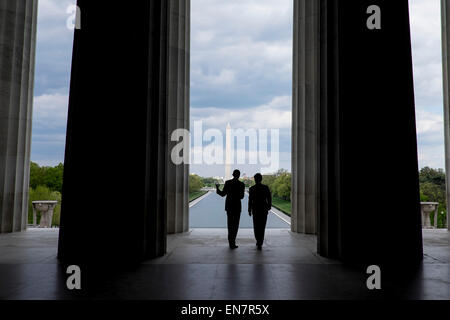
[{"x": 368, "y": 134}]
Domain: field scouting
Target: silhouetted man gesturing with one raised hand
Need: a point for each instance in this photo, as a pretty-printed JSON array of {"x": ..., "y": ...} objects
[{"x": 234, "y": 190}]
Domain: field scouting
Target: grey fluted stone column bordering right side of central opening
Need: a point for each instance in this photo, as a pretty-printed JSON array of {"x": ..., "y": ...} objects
[{"x": 305, "y": 116}]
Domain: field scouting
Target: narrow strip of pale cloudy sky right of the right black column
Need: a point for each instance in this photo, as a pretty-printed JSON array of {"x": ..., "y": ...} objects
[{"x": 428, "y": 83}]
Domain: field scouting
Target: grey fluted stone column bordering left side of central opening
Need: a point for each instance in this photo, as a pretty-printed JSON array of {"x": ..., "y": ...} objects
[{"x": 178, "y": 113}]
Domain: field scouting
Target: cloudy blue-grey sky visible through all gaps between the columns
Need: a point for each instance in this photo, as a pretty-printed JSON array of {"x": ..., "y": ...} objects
[{"x": 241, "y": 70}]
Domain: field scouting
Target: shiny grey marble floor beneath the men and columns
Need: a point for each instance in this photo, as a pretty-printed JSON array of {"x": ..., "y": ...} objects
[{"x": 200, "y": 266}]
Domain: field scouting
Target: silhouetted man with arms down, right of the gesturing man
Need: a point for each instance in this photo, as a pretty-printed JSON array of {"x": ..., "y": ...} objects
[{"x": 259, "y": 204}]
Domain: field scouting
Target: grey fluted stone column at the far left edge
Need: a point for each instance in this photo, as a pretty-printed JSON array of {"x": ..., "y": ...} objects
[{"x": 17, "y": 60}]
